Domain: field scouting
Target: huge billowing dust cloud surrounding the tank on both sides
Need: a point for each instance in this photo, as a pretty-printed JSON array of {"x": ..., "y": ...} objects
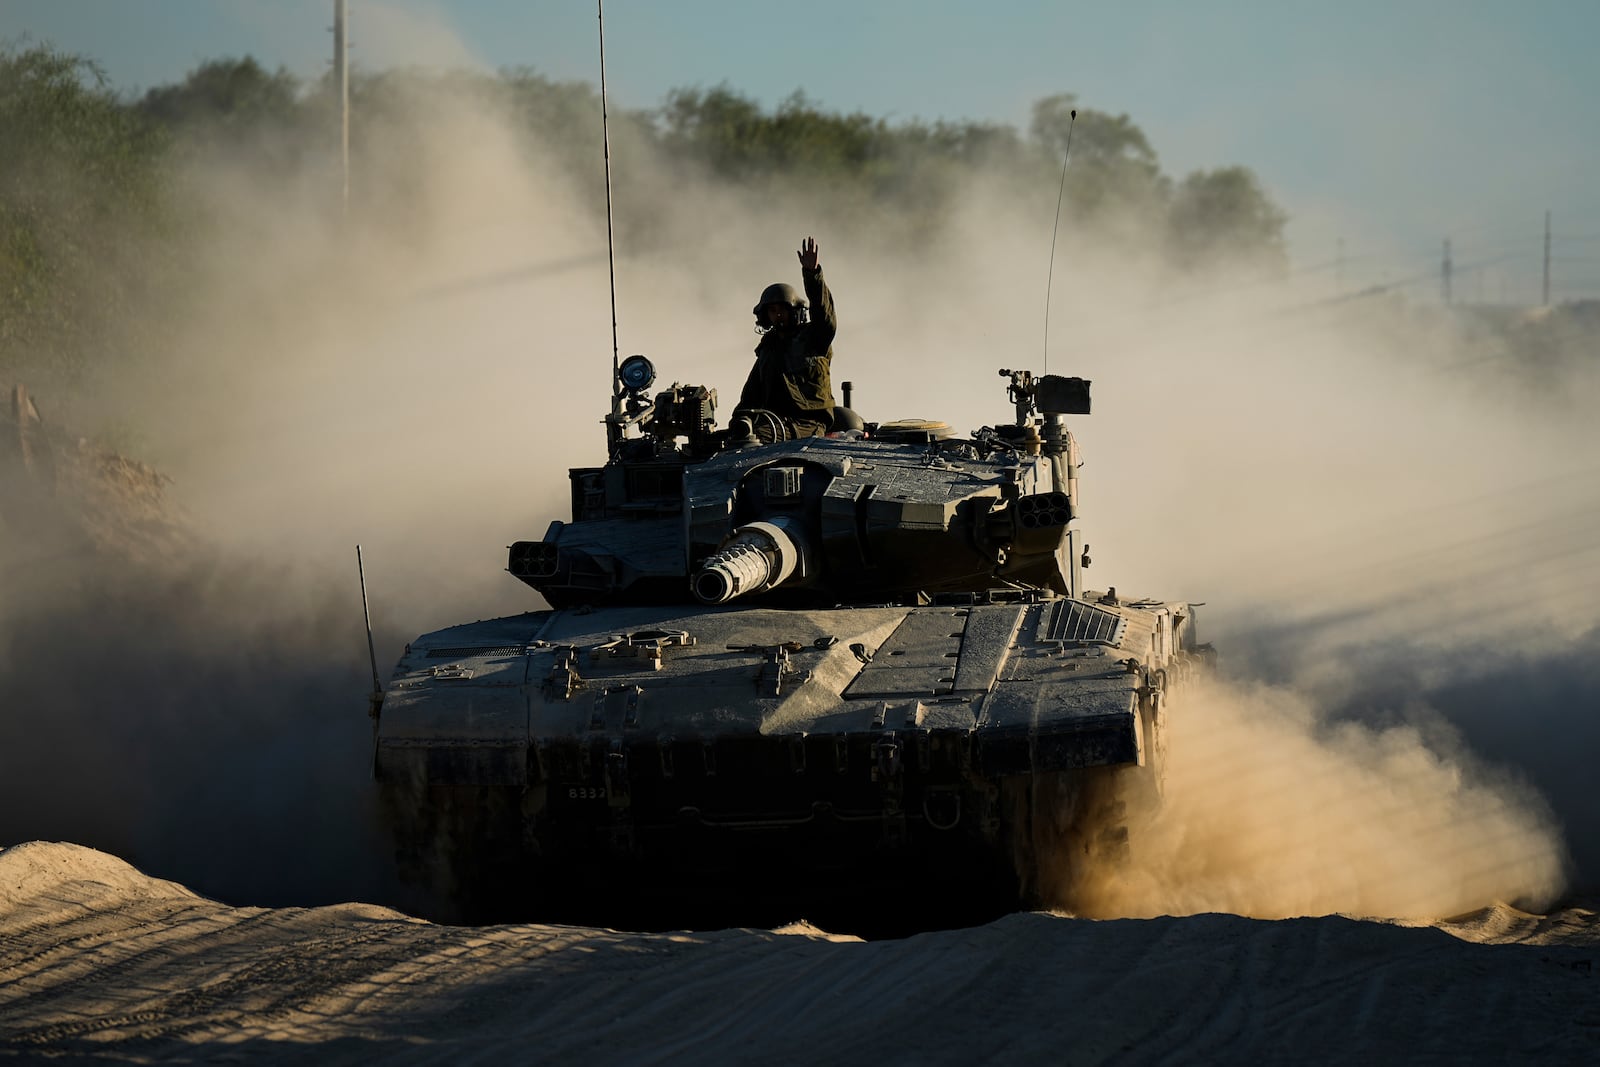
[{"x": 417, "y": 377}]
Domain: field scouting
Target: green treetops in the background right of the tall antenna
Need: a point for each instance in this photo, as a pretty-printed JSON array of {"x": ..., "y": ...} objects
[{"x": 914, "y": 170}]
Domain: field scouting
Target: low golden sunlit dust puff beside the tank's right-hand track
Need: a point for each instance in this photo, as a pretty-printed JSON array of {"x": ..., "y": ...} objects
[{"x": 1274, "y": 810}]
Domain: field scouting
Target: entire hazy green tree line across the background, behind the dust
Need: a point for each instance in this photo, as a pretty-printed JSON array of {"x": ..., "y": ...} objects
[{"x": 95, "y": 223}]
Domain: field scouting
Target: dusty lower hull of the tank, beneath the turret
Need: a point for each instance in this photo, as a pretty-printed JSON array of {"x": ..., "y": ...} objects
[{"x": 671, "y": 765}]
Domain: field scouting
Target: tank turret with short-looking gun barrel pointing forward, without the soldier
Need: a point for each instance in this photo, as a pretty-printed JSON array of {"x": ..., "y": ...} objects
[{"x": 898, "y": 513}]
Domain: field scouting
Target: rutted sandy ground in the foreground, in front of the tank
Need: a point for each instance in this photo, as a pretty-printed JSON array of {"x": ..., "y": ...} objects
[{"x": 102, "y": 962}]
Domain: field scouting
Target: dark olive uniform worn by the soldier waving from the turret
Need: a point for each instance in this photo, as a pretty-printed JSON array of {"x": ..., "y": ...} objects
[{"x": 791, "y": 375}]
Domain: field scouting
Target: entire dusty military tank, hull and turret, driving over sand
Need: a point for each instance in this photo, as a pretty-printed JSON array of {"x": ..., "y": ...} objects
[{"x": 850, "y": 677}]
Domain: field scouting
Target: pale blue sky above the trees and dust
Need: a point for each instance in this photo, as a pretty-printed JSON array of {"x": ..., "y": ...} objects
[{"x": 1382, "y": 127}]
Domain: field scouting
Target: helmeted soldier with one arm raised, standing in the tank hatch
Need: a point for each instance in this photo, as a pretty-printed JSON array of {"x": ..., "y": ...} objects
[{"x": 793, "y": 361}]
